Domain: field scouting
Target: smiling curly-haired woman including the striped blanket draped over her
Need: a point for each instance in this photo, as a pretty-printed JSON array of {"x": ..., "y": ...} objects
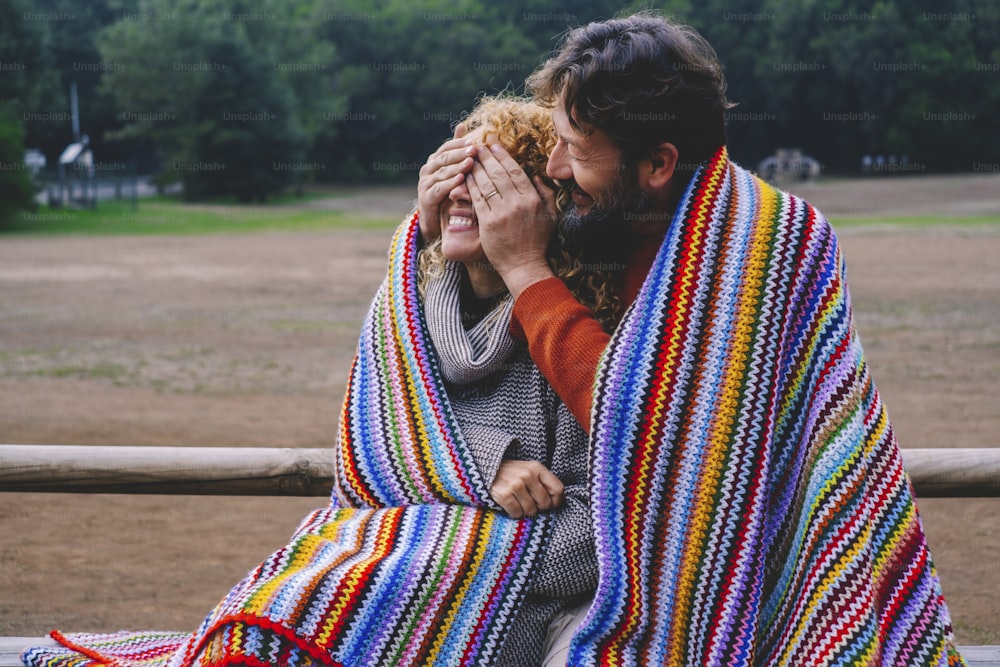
[{"x": 458, "y": 526}]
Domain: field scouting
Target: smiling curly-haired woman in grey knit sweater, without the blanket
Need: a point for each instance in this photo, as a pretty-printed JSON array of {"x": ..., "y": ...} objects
[{"x": 492, "y": 382}]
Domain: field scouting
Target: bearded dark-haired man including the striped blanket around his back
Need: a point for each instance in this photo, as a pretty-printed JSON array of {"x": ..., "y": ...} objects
[{"x": 749, "y": 499}]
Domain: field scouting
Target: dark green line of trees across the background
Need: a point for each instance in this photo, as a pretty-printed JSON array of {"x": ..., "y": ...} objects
[{"x": 248, "y": 98}]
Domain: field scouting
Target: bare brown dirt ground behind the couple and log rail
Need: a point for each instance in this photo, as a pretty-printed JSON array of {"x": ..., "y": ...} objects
[{"x": 246, "y": 340}]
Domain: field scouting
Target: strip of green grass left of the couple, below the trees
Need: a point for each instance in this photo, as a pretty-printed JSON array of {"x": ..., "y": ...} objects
[{"x": 162, "y": 215}]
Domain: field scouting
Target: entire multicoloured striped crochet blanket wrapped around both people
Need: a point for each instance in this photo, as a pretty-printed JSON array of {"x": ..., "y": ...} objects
[{"x": 749, "y": 500}]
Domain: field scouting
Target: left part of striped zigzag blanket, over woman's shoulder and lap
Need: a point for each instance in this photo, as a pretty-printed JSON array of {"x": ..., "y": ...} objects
[{"x": 407, "y": 566}]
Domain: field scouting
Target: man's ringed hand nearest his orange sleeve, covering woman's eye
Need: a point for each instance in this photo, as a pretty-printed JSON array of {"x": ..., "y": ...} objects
[{"x": 517, "y": 217}]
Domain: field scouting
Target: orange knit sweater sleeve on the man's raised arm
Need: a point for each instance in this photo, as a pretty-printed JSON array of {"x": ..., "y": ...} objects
[{"x": 564, "y": 341}]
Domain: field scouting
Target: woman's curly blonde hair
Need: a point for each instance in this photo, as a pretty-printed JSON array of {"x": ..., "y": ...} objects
[{"x": 524, "y": 129}]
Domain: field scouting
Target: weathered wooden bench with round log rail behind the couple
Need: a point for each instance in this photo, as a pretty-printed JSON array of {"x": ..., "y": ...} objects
[{"x": 309, "y": 472}]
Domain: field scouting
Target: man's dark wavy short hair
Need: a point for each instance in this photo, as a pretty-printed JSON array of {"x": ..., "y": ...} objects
[{"x": 643, "y": 80}]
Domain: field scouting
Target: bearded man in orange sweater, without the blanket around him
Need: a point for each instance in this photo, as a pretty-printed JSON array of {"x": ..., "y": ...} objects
[{"x": 622, "y": 151}]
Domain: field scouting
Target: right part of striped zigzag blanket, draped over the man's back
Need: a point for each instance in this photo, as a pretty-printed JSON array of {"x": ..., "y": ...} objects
[{"x": 749, "y": 499}]
